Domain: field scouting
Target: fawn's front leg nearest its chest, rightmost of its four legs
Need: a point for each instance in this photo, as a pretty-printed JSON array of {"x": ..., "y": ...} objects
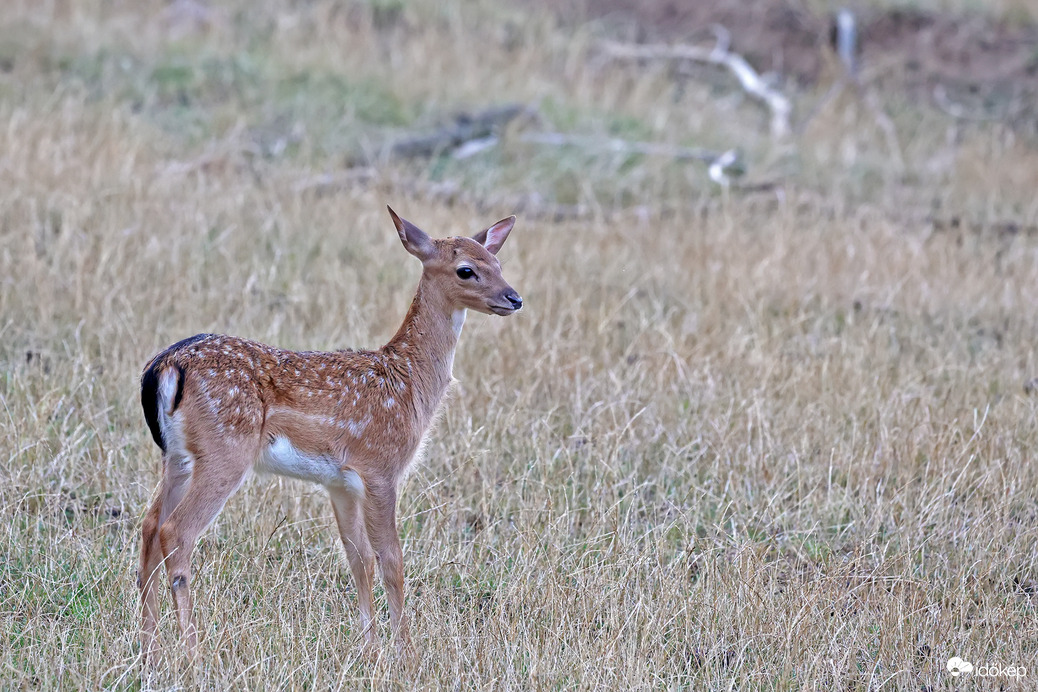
[{"x": 380, "y": 518}]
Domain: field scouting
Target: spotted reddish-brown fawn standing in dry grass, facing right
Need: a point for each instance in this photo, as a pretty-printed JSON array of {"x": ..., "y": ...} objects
[{"x": 351, "y": 421}]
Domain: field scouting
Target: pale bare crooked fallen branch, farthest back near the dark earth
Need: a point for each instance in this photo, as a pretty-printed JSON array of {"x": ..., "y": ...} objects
[{"x": 751, "y": 81}]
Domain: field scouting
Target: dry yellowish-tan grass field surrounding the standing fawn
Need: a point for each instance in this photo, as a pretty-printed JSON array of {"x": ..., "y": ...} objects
[{"x": 779, "y": 438}]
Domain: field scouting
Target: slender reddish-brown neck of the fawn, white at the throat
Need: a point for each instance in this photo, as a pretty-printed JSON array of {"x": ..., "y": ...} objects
[{"x": 424, "y": 347}]
